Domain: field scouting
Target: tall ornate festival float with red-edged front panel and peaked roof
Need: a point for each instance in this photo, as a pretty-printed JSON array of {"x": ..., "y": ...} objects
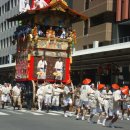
[{"x": 45, "y": 31}]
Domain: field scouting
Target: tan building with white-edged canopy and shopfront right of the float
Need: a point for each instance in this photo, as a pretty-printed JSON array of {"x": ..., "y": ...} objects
[{"x": 103, "y": 42}]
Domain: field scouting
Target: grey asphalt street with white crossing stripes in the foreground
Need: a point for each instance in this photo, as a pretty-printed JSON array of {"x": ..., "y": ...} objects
[{"x": 34, "y": 120}]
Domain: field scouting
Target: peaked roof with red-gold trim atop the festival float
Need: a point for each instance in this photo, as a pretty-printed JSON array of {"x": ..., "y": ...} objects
[{"x": 58, "y": 8}]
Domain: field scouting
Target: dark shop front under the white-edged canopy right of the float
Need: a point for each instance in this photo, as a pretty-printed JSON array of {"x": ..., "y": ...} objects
[{"x": 108, "y": 64}]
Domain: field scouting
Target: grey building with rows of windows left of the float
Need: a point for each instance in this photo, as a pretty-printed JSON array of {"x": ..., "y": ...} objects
[{"x": 8, "y": 8}]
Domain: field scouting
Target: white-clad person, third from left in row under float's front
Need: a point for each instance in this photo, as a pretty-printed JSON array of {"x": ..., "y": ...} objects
[{"x": 56, "y": 96}]
